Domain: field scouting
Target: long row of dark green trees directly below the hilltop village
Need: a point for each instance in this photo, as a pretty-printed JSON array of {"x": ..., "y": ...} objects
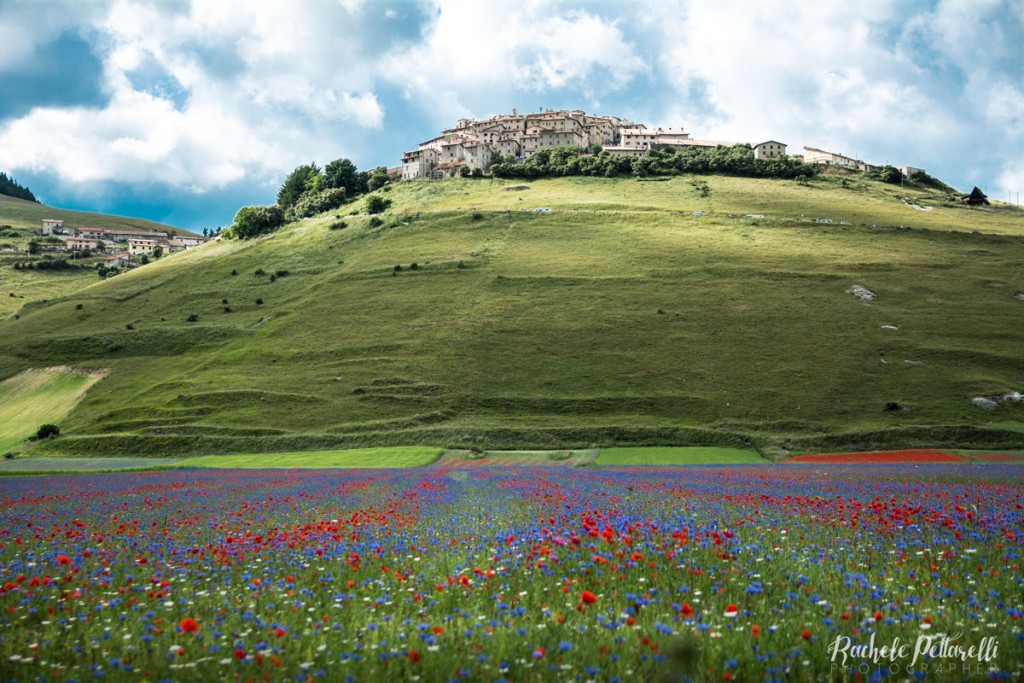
[{"x": 738, "y": 160}]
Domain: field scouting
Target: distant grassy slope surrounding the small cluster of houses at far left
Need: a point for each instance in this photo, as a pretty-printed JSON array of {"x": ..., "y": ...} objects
[{"x": 20, "y": 287}]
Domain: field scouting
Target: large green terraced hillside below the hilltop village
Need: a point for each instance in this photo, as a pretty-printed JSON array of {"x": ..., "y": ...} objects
[{"x": 619, "y": 318}]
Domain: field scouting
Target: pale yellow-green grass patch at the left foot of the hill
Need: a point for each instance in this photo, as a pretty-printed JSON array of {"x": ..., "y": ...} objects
[{"x": 36, "y": 398}]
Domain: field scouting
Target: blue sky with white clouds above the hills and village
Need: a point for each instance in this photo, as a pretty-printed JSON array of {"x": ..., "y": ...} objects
[{"x": 184, "y": 111}]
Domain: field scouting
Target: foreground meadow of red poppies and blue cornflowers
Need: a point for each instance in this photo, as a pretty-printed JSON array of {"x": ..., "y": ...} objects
[{"x": 509, "y": 574}]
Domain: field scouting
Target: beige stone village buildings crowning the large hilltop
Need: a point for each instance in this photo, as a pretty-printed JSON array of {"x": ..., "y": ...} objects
[{"x": 475, "y": 144}]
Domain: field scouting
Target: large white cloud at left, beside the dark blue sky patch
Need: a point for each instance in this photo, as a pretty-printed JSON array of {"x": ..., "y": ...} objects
[{"x": 288, "y": 96}]
